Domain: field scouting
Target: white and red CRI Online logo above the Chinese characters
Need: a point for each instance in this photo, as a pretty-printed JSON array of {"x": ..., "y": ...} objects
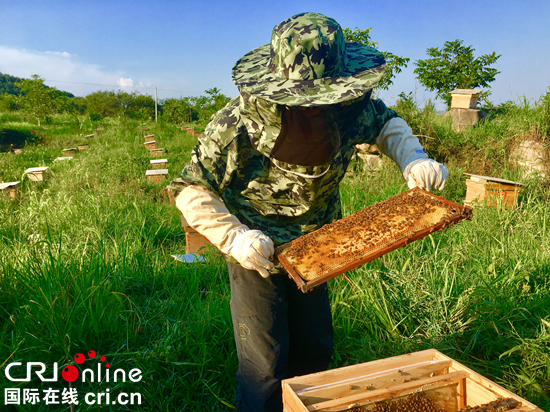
[{"x": 71, "y": 373}]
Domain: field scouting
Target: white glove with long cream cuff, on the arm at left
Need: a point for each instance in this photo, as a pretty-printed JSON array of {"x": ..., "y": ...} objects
[{"x": 207, "y": 214}]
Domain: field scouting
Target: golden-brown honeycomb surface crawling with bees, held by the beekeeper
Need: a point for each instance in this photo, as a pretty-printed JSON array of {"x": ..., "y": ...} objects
[{"x": 368, "y": 232}]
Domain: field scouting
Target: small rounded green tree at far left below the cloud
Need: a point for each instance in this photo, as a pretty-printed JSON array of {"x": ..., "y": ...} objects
[{"x": 37, "y": 99}]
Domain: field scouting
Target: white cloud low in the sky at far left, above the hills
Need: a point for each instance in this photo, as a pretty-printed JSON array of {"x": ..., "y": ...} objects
[{"x": 62, "y": 70}]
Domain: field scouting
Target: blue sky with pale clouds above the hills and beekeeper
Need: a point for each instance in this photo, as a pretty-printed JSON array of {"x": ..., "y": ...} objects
[{"x": 186, "y": 47}]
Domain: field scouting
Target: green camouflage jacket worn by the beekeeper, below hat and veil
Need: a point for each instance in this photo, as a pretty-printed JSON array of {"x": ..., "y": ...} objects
[{"x": 232, "y": 160}]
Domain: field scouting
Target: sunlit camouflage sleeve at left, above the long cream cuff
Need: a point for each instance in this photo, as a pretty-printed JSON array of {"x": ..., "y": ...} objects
[{"x": 212, "y": 159}]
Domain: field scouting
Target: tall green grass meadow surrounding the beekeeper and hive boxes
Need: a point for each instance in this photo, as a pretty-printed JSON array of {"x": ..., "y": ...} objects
[{"x": 85, "y": 264}]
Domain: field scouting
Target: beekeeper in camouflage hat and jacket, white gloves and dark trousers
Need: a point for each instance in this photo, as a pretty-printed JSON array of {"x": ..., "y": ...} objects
[{"x": 267, "y": 170}]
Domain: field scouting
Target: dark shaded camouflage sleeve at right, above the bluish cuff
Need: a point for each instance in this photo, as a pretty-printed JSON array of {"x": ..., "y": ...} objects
[{"x": 372, "y": 121}]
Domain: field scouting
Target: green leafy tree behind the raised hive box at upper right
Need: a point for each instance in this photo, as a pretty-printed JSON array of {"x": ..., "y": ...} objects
[{"x": 454, "y": 67}]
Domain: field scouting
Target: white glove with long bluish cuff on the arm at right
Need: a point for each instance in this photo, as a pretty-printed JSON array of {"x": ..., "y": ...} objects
[{"x": 398, "y": 143}]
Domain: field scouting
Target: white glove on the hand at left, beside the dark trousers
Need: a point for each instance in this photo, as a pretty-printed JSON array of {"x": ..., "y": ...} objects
[{"x": 252, "y": 249}]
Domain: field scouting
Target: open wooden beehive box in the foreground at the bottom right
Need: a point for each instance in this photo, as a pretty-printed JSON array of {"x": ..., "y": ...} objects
[{"x": 450, "y": 385}]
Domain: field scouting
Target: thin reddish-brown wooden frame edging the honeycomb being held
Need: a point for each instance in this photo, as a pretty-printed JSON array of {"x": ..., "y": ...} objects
[{"x": 305, "y": 286}]
